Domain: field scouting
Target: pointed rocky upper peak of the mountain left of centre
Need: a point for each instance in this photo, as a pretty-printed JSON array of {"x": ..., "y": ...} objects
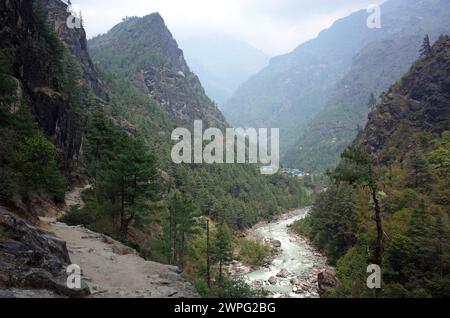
[{"x": 143, "y": 51}]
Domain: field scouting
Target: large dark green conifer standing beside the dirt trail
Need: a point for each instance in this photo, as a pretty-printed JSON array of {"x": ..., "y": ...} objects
[{"x": 125, "y": 173}]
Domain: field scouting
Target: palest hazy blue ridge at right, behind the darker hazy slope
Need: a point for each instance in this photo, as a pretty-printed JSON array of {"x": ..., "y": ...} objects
[{"x": 294, "y": 88}]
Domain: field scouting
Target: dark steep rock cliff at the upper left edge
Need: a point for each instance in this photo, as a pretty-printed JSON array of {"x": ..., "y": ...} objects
[{"x": 38, "y": 70}]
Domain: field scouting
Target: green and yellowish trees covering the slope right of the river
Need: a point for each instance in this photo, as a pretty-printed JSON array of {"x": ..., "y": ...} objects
[{"x": 413, "y": 195}]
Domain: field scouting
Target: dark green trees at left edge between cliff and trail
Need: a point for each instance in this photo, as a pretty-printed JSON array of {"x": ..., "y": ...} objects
[{"x": 28, "y": 159}]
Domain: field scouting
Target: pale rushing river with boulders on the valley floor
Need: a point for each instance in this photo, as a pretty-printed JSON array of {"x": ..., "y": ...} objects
[{"x": 300, "y": 262}]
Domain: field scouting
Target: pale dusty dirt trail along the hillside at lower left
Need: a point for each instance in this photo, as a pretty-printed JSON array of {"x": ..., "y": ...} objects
[{"x": 111, "y": 269}]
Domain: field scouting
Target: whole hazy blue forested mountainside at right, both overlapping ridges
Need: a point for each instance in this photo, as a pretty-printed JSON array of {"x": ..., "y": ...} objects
[{"x": 325, "y": 74}]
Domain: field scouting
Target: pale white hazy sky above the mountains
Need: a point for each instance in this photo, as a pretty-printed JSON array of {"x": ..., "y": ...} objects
[{"x": 274, "y": 26}]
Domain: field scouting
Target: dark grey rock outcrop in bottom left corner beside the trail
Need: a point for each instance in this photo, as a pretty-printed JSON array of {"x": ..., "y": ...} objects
[{"x": 31, "y": 259}]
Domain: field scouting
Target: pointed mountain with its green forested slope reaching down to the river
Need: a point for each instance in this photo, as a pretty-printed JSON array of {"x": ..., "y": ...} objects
[{"x": 141, "y": 52}]
